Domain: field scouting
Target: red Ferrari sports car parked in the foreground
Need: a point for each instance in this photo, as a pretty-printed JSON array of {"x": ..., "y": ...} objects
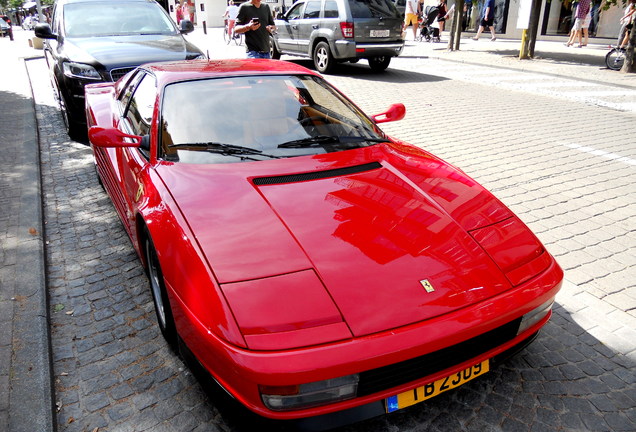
[{"x": 310, "y": 262}]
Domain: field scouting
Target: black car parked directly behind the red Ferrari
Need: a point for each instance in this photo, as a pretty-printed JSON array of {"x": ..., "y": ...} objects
[{"x": 89, "y": 41}]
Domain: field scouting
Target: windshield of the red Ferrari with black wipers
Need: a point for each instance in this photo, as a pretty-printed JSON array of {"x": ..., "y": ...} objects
[{"x": 258, "y": 118}]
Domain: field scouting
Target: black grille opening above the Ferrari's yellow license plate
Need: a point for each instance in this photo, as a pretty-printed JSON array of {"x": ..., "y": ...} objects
[{"x": 386, "y": 377}]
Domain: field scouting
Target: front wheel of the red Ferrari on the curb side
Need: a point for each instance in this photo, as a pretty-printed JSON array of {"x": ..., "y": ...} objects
[{"x": 159, "y": 294}]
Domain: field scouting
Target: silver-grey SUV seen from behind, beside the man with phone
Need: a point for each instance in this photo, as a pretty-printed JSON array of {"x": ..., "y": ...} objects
[{"x": 331, "y": 31}]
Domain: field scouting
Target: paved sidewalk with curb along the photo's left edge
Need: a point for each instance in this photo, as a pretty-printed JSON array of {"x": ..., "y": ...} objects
[{"x": 26, "y": 390}]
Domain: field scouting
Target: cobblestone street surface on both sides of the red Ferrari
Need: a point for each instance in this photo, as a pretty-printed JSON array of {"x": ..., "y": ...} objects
[{"x": 554, "y": 162}]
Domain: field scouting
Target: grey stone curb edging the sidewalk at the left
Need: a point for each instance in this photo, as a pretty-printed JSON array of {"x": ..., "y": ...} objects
[{"x": 31, "y": 389}]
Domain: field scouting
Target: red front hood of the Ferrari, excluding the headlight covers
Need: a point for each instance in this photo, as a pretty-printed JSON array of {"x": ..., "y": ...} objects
[{"x": 384, "y": 230}]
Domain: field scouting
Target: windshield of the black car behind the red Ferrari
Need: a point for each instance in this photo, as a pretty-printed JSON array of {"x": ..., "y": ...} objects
[{"x": 115, "y": 18}]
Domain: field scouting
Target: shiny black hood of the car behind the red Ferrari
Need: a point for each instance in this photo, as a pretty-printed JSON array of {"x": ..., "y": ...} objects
[{"x": 119, "y": 51}]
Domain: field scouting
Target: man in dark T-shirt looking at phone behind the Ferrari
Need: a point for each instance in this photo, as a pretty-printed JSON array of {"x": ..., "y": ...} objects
[{"x": 255, "y": 20}]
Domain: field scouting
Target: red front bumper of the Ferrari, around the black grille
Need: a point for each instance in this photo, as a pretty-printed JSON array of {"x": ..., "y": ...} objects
[{"x": 464, "y": 337}]
